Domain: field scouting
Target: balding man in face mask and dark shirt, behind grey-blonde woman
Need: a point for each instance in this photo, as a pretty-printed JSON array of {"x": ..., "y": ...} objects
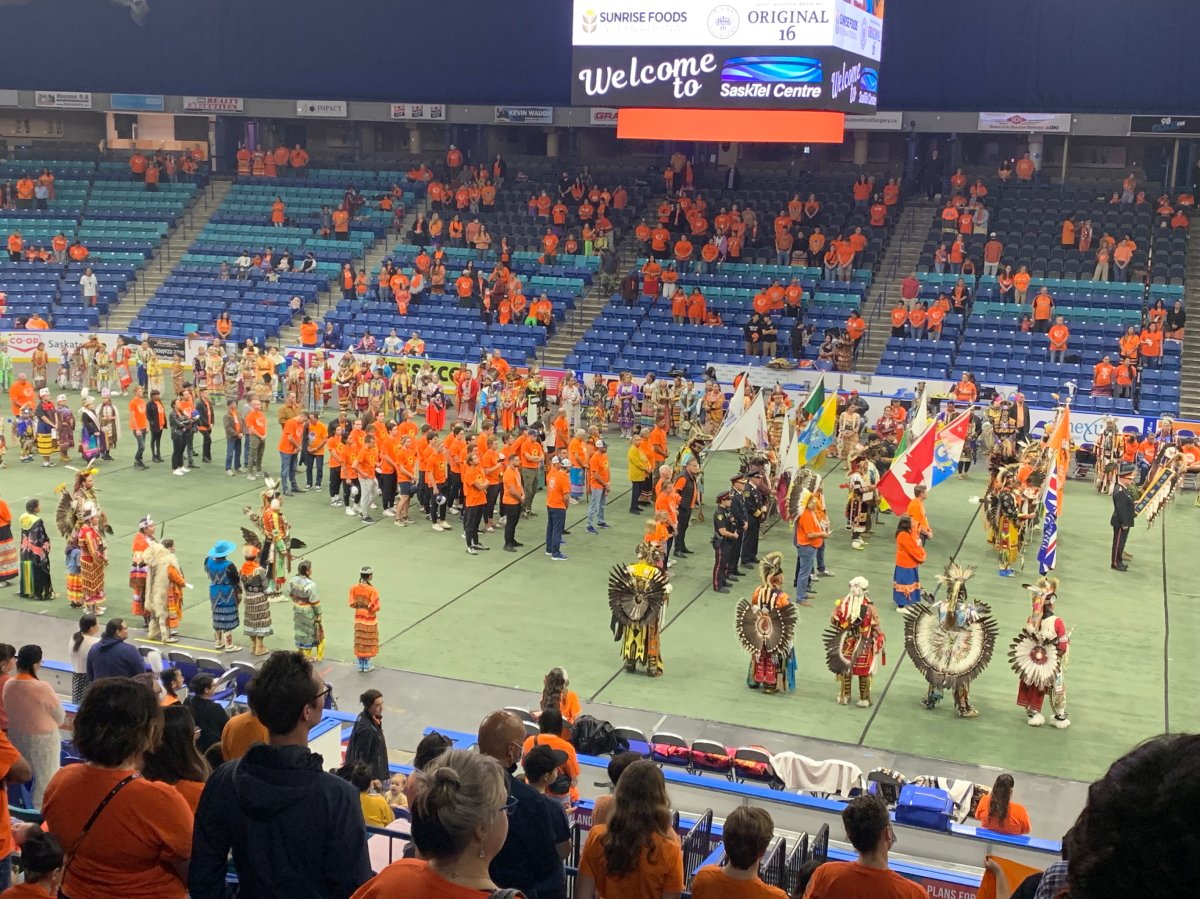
[{"x": 538, "y": 840}]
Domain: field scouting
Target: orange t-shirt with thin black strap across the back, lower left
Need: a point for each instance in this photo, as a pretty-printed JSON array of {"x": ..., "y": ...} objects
[{"x": 130, "y": 848}]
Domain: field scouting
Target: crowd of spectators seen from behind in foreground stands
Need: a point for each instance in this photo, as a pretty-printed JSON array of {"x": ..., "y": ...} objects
[{"x": 152, "y": 811}]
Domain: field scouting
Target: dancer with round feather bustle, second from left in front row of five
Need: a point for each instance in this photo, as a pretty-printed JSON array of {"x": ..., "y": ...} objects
[{"x": 766, "y": 625}]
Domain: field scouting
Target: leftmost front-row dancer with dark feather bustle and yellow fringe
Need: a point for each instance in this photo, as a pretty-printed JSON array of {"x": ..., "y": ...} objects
[{"x": 638, "y": 598}]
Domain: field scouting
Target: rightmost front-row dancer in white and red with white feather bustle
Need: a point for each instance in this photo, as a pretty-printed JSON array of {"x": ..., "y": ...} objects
[{"x": 1039, "y": 656}]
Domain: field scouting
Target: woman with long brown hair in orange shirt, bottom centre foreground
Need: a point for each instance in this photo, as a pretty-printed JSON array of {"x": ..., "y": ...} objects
[{"x": 637, "y": 854}]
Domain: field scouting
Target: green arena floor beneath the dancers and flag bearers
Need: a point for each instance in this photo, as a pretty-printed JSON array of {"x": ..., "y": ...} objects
[{"x": 505, "y": 620}]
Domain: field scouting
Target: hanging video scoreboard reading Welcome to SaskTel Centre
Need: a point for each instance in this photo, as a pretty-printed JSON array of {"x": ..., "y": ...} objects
[{"x": 728, "y": 55}]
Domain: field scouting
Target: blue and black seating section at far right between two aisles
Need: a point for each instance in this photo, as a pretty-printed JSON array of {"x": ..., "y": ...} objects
[{"x": 989, "y": 344}]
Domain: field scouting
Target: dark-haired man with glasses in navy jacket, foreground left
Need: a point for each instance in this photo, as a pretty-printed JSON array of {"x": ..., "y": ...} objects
[{"x": 293, "y": 829}]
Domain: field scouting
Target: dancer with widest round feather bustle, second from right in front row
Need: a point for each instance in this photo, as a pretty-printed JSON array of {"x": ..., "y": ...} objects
[{"x": 951, "y": 640}]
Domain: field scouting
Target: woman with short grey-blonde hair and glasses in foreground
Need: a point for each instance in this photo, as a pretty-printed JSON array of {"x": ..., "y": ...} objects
[{"x": 460, "y": 820}]
